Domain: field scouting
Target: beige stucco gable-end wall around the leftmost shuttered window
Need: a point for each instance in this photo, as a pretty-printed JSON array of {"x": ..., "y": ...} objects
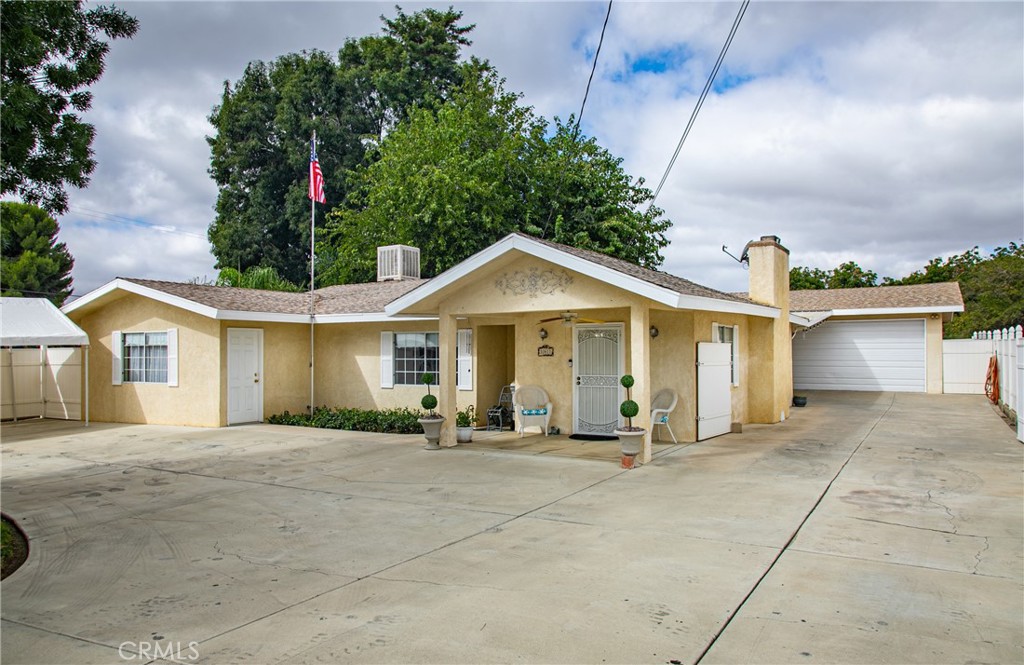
[{"x": 191, "y": 403}]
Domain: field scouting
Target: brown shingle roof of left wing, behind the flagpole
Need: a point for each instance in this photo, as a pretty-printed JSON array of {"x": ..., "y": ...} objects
[{"x": 349, "y": 299}]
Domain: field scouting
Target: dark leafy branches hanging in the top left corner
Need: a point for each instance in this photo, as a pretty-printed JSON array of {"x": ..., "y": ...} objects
[{"x": 51, "y": 54}]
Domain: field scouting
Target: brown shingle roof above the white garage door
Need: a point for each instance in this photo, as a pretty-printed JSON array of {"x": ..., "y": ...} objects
[{"x": 944, "y": 295}]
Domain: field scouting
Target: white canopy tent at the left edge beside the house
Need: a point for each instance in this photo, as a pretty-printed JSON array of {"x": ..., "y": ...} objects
[{"x": 42, "y": 361}]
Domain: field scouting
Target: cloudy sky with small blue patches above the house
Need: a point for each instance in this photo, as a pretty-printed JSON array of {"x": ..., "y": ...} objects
[{"x": 881, "y": 133}]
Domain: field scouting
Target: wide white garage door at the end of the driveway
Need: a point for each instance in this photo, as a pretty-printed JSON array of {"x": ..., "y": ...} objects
[{"x": 862, "y": 356}]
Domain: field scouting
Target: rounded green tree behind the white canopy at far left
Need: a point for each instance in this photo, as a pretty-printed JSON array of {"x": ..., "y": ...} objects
[{"x": 33, "y": 264}]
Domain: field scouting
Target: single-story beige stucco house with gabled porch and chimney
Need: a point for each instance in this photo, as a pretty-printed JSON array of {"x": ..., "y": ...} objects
[{"x": 522, "y": 312}]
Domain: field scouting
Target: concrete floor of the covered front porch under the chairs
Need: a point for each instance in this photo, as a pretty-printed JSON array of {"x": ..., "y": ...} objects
[{"x": 559, "y": 446}]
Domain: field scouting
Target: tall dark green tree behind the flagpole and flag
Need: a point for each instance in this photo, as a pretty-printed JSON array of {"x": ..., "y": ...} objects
[{"x": 261, "y": 152}]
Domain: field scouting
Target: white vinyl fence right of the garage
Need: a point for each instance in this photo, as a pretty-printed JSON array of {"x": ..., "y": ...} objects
[{"x": 965, "y": 365}]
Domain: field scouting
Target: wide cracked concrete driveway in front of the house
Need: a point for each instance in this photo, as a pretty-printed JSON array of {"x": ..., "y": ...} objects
[{"x": 870, "y": 528}]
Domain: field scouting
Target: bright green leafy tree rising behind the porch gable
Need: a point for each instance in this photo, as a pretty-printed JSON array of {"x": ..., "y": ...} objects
[{"x": 455, "y": 181}]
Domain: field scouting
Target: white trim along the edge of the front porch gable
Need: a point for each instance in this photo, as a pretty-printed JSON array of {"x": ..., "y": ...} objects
[{"x": 602, "y": 273}]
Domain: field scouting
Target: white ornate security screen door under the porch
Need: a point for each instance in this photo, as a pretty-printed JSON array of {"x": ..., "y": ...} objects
[{"x": 598, "y": 366}]
